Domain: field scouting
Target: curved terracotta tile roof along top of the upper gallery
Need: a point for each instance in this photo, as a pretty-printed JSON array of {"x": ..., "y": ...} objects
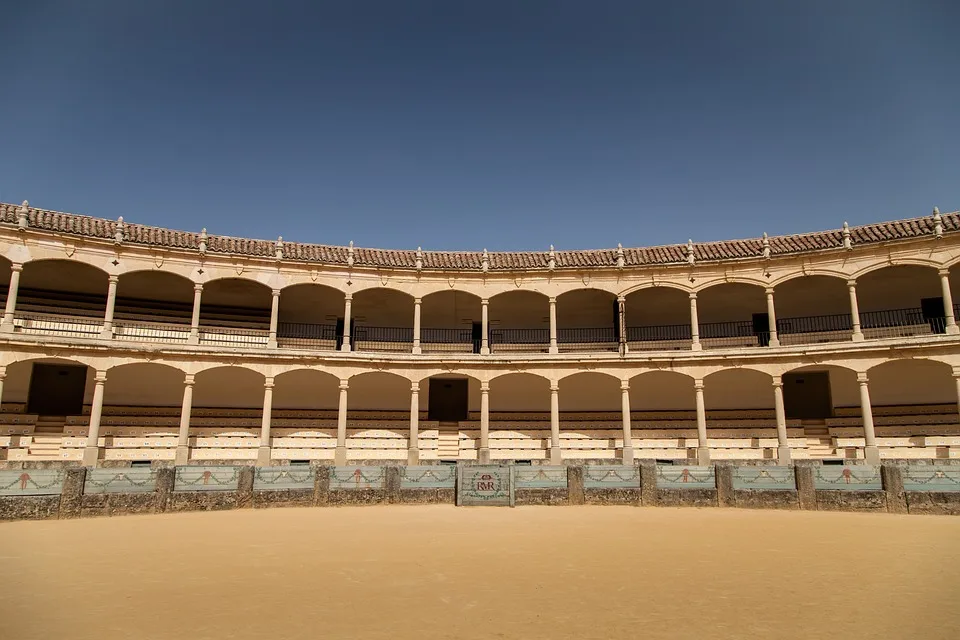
[{"x": 88, "y": 226}]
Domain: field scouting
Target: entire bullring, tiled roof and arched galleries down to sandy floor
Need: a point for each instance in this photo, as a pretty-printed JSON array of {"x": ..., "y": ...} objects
[{"x": 148, "y": 371}]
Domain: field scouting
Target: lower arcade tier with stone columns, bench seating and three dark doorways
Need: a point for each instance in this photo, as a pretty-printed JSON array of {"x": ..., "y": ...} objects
[{"x": 138, "y": 412}]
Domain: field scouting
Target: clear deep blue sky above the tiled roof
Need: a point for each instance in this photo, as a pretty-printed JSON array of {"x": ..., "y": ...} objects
[{"x": 499, "y": 124}]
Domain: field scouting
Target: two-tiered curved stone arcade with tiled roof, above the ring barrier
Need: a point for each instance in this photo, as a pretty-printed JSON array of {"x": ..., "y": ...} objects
[{"x": 124, "y": 344}]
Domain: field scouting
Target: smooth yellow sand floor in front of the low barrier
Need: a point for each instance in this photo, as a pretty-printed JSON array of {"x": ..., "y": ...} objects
[{"x": 441, "y": 572}]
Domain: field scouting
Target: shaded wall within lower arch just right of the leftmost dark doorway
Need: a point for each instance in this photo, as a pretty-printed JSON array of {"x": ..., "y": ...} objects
[{"x": 144, "y": 384}]
